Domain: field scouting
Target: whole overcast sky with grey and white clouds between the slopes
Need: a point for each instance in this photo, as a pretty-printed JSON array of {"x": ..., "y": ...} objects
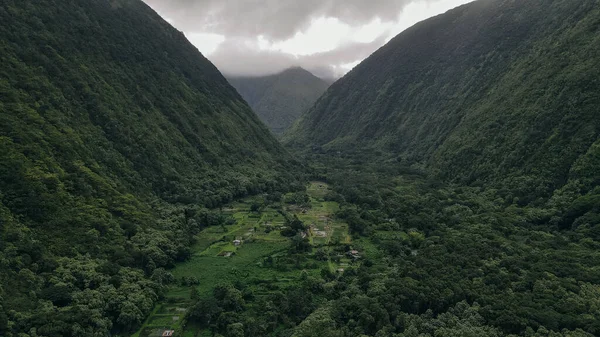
[{"x": 326, "y": 37}]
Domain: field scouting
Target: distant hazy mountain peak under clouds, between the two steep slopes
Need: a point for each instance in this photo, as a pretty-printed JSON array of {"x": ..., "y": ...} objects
[{"x": 280, "y": 99}]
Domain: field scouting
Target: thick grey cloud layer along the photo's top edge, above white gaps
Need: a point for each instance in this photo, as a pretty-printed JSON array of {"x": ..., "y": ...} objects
[{"x": 274, "y": 19}]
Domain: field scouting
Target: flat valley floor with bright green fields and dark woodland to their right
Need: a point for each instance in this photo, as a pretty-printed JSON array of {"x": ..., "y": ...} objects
[{"x": 399, "y": 254}]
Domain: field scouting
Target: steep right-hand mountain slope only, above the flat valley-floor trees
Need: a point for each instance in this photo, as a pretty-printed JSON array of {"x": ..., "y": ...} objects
[{"x": 493, "y": 91}]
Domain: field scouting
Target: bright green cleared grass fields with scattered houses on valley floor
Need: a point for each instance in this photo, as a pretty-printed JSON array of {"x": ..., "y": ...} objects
[{"x": 211, "y": 266}]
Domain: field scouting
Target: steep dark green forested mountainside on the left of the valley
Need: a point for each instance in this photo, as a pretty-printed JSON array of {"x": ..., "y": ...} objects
[{"x": 115, "y": 132}]
